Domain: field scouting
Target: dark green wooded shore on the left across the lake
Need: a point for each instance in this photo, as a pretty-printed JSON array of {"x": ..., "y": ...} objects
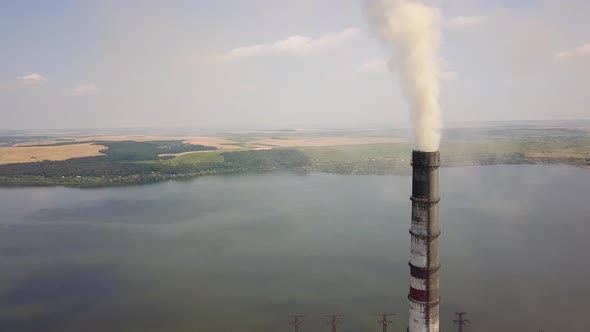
[{"x": 126, "y": 165}]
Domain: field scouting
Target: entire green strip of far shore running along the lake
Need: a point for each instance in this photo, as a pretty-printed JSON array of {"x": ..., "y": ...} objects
[{"x": 139, "y": 162}]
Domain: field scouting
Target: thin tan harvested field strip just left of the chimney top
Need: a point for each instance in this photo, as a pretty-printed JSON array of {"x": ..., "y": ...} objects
[{"x": 324, "y": 141}]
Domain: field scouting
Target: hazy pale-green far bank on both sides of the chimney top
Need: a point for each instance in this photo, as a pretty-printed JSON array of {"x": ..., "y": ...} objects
[{"x": 395, "y": 158}]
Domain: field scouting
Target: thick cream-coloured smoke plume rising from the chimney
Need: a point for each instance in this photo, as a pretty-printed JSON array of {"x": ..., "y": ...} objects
[{"x": 412, "y": 28}]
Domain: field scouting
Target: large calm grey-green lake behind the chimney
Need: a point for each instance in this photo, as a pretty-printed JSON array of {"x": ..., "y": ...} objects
[{"x": 240, "y": 253}]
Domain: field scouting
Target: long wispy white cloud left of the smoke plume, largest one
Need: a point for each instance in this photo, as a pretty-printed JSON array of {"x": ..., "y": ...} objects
[{"x": 294, "y": 45}]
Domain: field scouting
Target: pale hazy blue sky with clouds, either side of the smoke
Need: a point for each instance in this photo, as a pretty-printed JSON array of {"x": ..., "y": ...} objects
[{"x": 74, "y": 64}]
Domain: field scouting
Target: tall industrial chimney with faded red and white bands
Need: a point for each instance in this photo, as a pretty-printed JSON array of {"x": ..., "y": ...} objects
[{"x": 424, "y": 257}]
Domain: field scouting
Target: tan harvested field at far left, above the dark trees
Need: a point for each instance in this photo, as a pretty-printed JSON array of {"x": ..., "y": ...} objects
[{"x": 22, "y": 154}]
